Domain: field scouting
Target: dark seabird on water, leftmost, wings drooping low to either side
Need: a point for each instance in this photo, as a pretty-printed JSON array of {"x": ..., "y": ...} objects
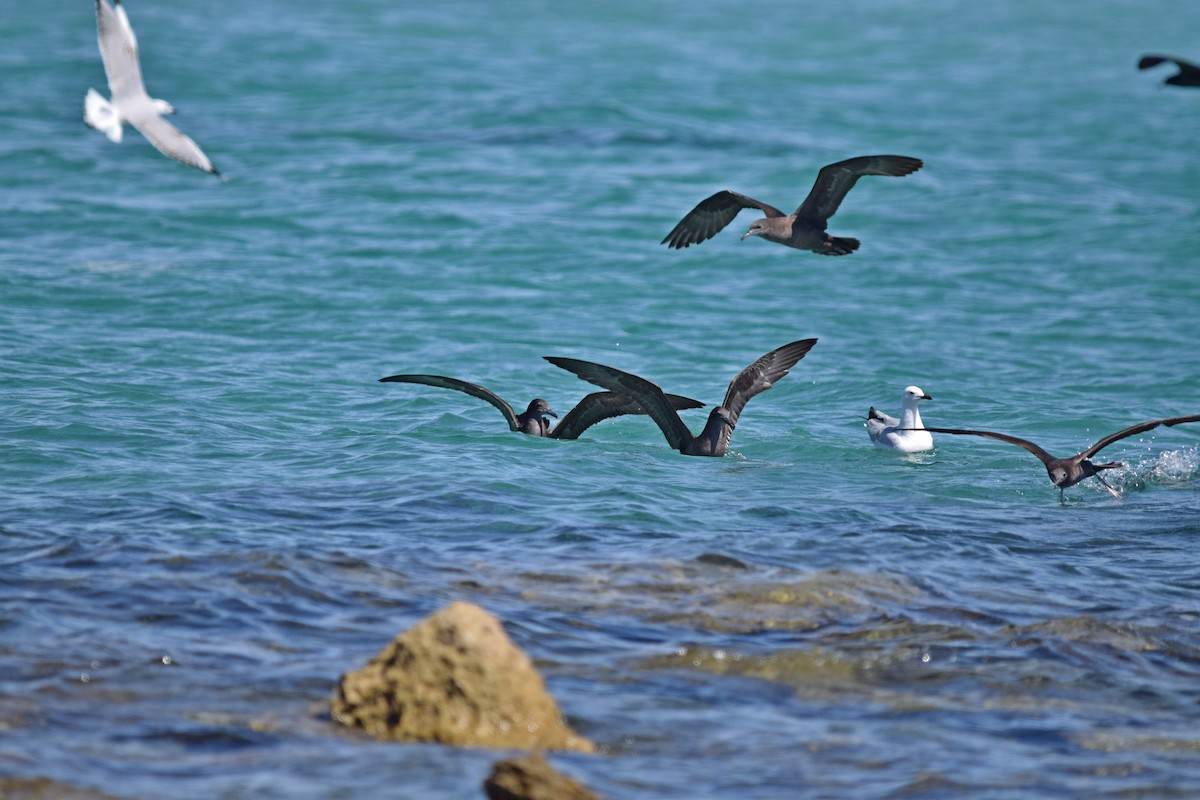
[{"x": 590, "y": 411}]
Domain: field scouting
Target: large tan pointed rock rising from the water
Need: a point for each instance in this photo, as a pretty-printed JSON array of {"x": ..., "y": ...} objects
[{"x": 455, "y": 678}]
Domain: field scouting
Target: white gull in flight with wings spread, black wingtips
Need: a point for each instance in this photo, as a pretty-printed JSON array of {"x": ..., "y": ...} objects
[{"x": 131, "y": 104}]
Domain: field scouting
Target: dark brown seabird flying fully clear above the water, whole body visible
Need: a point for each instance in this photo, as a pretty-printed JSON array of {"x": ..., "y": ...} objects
[{"x": 806, "y": 227}]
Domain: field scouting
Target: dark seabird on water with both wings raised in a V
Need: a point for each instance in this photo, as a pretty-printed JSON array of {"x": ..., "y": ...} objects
[{"x": 715, "y": 440}]
